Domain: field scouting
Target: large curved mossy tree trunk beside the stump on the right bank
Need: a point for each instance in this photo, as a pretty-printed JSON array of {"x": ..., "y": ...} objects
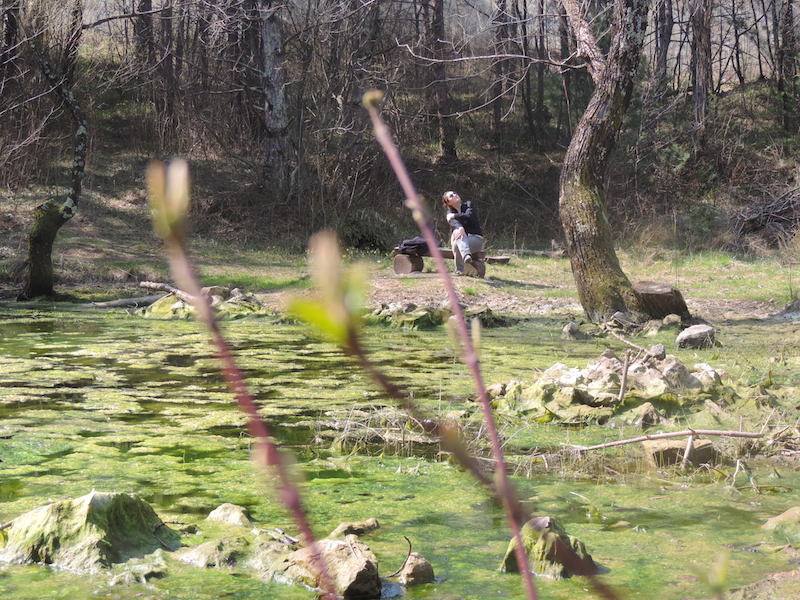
[{"x": 603, "y": 288}]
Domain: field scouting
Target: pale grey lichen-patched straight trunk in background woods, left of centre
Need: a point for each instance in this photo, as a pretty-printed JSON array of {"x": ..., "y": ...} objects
[{"x": 275, "y": 114}]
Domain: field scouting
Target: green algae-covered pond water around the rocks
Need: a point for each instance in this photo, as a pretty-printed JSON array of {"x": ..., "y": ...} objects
[{"x": 93, "y": 399}]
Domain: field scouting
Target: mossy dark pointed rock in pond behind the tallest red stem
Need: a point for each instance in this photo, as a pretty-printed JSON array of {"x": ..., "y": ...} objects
[{"x": 551, "y": 551}]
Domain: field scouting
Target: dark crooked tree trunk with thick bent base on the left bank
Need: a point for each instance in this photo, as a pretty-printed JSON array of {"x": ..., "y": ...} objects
[{"x": 50, "y": 216}]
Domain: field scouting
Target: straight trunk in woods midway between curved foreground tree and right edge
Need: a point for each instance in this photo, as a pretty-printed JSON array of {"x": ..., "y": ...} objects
[{"x": 701, "y": 72}]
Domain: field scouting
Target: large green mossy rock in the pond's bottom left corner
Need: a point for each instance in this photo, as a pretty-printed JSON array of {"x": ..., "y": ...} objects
[{"x": 89, "y": 533}]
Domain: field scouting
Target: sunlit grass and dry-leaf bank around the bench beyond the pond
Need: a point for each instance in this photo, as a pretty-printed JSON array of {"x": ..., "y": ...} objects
[{"x": 109, "y": 247}]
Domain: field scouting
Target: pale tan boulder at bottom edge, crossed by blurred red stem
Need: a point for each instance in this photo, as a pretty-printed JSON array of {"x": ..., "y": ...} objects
[{"x": 350, "y": 564}]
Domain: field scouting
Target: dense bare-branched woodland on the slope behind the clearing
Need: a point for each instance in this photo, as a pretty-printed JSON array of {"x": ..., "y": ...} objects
[{"x": 265, "y": 97}]
